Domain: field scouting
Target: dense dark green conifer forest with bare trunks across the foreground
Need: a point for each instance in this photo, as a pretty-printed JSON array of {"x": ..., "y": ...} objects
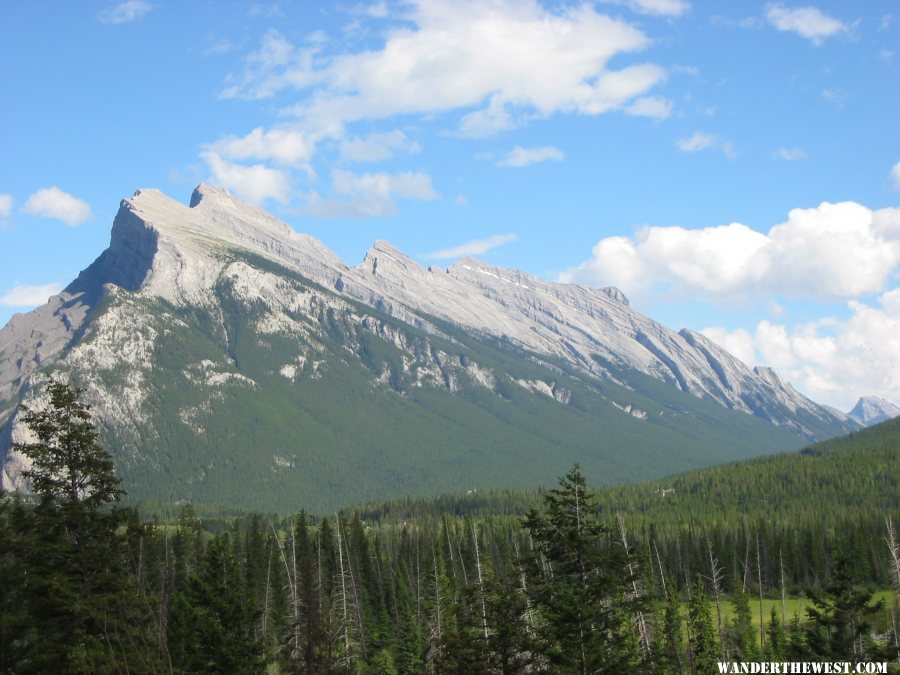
[{"x": 566, "y": 588}]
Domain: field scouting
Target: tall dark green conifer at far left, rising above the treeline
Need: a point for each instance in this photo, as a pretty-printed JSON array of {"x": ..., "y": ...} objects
[{"x": 85, "y": 612}]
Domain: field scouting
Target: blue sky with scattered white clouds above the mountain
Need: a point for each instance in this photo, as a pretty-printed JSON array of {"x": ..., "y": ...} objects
[{"x": 733, "y": 167}]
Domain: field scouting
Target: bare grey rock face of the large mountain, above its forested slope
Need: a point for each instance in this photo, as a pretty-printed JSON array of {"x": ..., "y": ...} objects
[{"x": 227, "y": 281}]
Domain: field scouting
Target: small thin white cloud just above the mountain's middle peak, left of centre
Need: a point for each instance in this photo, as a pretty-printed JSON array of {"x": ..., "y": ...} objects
[{"x": 370, "y": 195}]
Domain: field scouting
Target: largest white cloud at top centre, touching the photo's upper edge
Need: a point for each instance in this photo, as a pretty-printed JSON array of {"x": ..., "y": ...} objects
[{"x": 499, "y": 63}]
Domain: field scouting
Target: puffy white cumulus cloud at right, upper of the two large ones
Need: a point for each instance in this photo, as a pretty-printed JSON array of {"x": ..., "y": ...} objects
[{"x": 833, "y": 251}]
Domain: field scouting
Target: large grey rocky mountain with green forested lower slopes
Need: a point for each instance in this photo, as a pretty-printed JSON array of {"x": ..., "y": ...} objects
[{"x": 231, "y": 359}]
